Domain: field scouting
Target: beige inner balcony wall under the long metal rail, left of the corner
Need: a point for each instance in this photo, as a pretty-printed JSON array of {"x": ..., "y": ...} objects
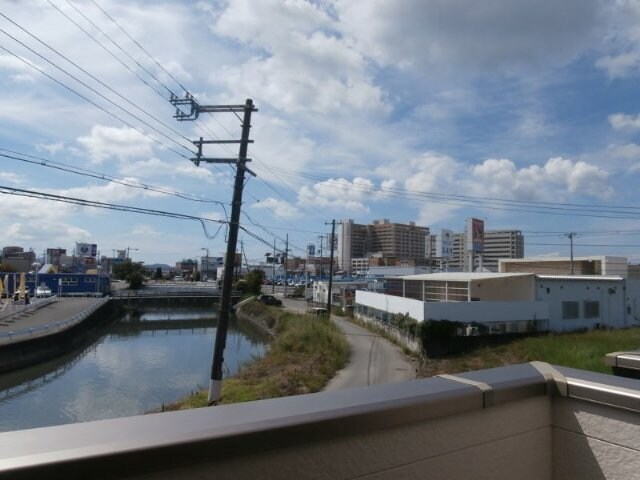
[{"x": 502, "y": 443}]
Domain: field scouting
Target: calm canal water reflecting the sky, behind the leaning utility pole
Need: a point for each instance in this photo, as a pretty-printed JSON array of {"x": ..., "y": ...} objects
[{"x": 136, "y": 365}]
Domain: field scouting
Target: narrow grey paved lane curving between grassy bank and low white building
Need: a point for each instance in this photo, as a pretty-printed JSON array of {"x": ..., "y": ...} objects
[{"x": 374, "y": 360}]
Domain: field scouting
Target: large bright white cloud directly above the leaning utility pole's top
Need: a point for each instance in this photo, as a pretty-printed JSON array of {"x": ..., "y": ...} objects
[{"x": 300, "y": 64}]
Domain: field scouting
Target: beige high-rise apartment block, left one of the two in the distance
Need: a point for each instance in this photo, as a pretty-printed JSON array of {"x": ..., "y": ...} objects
[{"x": 404, "y": 242}]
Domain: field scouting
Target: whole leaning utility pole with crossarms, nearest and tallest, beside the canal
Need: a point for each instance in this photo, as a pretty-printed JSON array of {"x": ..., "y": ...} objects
[{"x": 215, "y": 383}]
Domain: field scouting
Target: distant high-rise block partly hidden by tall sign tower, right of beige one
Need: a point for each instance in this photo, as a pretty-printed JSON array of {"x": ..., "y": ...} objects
[{"x": 497, "y": 244}]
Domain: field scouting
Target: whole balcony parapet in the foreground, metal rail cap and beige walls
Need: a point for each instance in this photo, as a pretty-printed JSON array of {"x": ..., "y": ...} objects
[{"x": 529, "y": 421}]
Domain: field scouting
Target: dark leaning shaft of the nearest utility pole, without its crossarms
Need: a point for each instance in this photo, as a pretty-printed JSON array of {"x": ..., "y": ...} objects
[{"x": 215, "y": 385}]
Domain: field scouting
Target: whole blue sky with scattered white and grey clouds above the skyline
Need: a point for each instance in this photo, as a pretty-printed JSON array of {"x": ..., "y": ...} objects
[{"x": 413, "y": 110}]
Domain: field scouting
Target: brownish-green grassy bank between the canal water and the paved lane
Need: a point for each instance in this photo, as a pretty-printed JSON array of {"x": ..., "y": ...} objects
[{"x": 303, "y": 356}]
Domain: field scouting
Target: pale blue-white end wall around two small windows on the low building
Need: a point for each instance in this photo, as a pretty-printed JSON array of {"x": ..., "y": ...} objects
[{"x": 609, "y": 293}]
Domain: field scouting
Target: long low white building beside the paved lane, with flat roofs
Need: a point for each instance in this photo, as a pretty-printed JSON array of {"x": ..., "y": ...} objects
[{"x": 515, "y": 302}]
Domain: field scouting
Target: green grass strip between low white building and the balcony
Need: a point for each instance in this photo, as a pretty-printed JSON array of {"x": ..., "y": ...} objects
[{"x": 585, "y": 351}]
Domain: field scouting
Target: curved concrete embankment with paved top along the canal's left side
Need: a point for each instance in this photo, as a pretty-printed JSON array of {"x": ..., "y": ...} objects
[{"x": 32, "y": 335}]
